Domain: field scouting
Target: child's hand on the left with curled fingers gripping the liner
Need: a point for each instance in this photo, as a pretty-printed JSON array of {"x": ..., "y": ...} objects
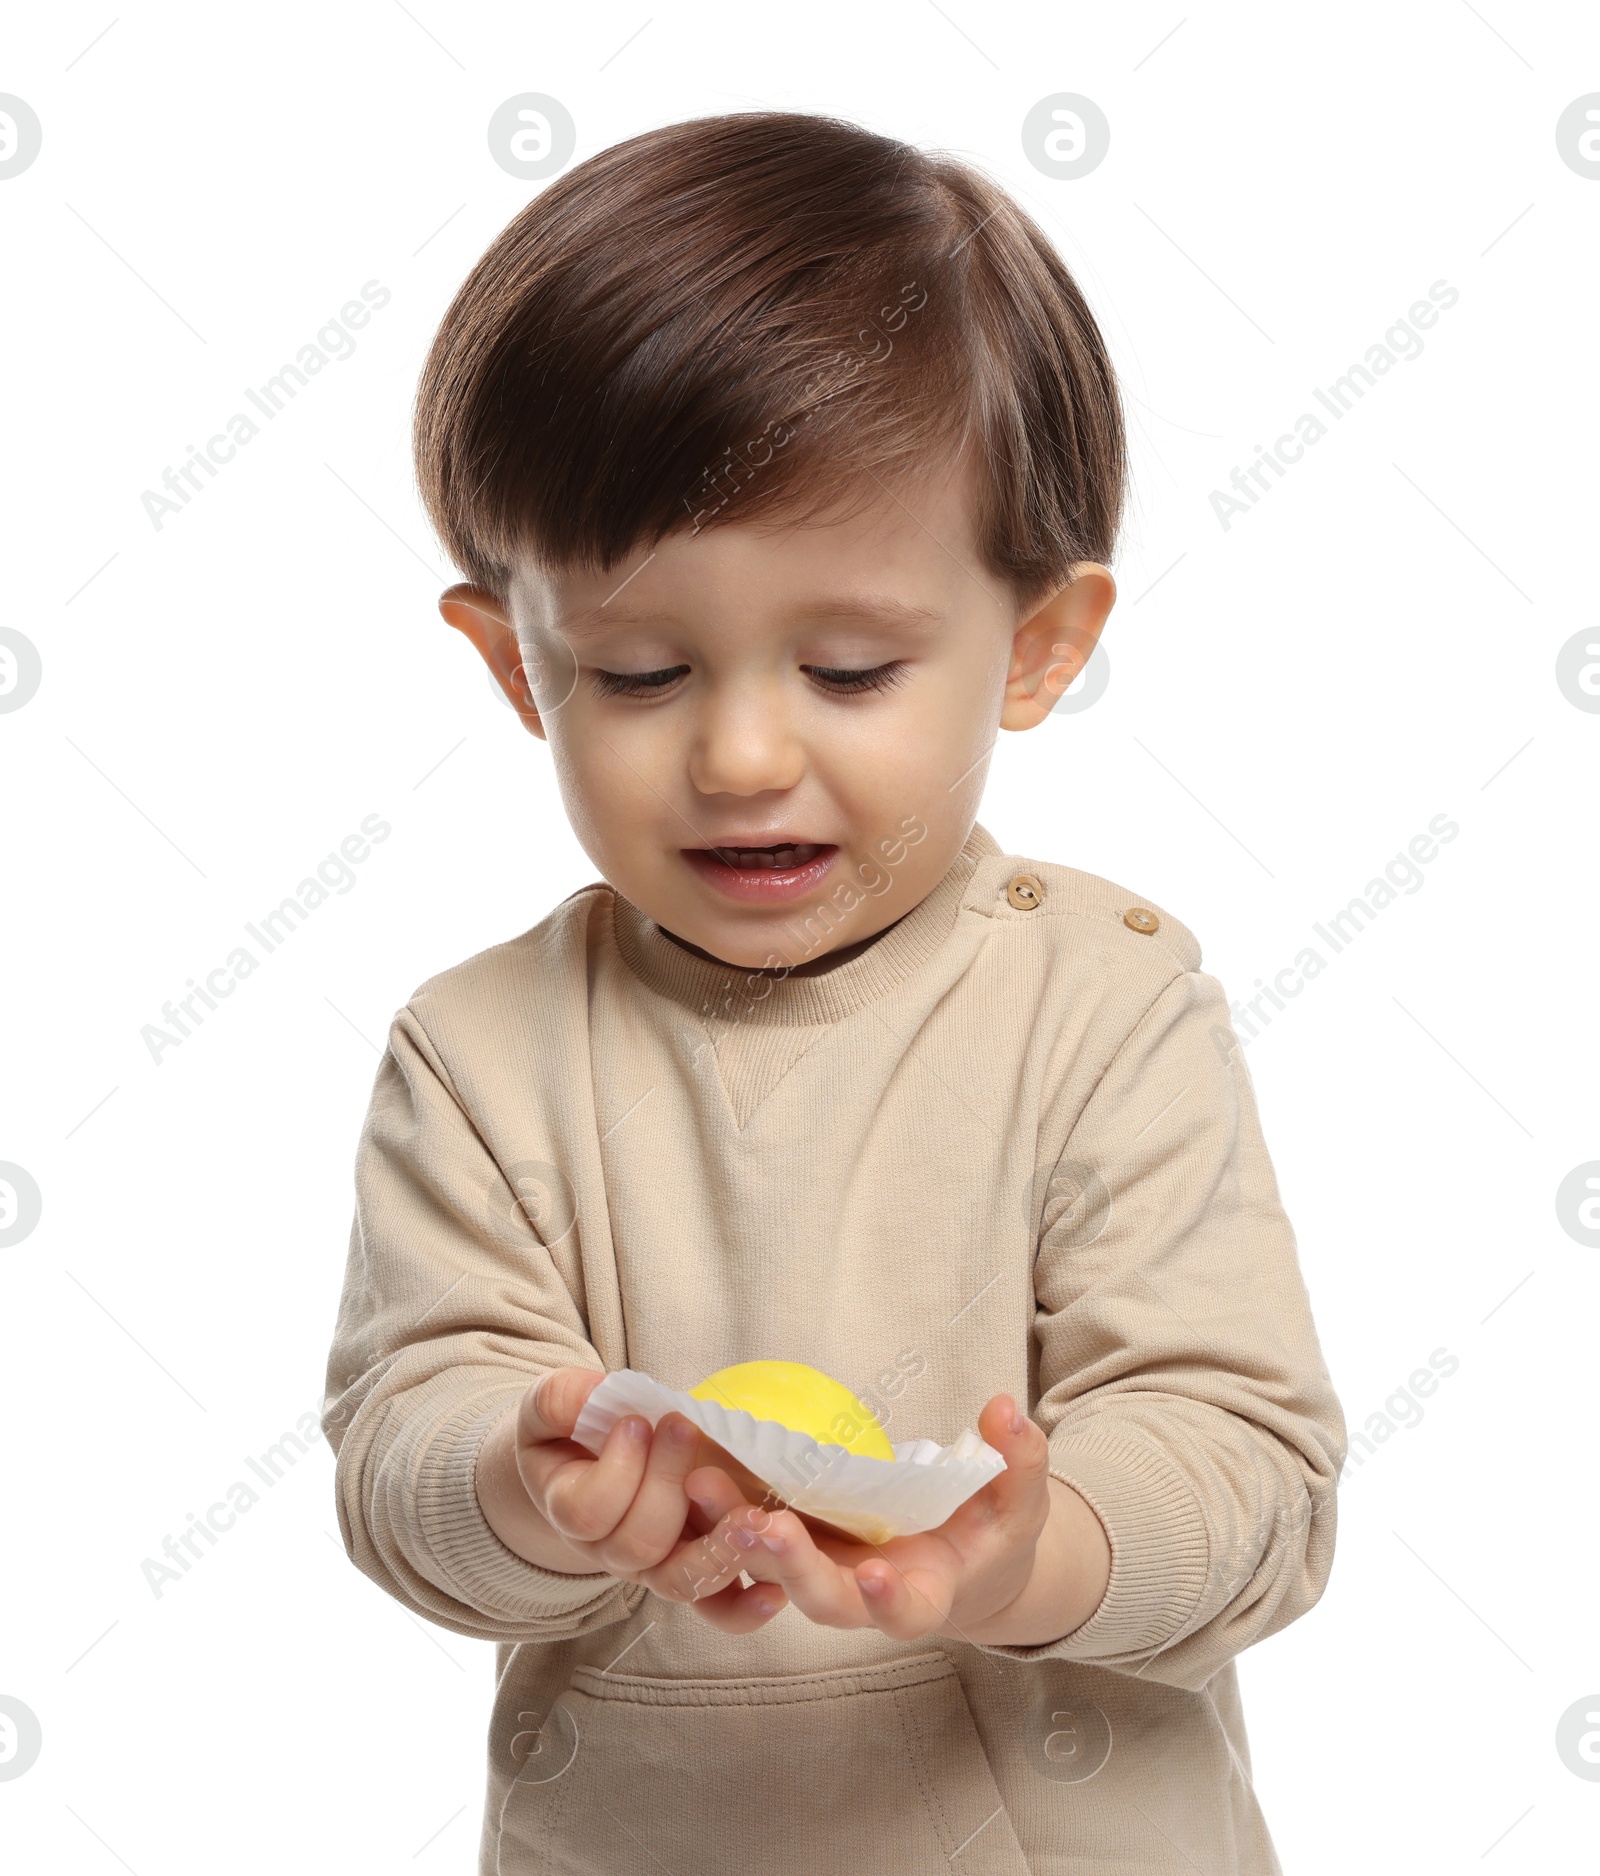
[{"x": 624, "y": 1513}]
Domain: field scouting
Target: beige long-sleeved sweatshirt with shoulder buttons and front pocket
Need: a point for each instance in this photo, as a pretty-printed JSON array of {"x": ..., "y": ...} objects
[{"x": 1008, "y": 1147}]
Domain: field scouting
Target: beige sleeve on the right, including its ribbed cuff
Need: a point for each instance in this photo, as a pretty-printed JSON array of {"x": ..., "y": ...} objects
[{"x": 1181, "y": 1382}]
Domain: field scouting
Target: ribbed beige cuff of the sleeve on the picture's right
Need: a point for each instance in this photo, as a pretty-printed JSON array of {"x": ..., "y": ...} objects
[{"x": 1160, "y": 1549}]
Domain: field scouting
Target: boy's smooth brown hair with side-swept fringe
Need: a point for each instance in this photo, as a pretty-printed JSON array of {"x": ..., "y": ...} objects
[{"x": 759, "y": 314}]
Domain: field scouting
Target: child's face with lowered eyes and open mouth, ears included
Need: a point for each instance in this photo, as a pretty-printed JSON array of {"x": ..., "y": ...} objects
[{"x": 774, "y": 740}]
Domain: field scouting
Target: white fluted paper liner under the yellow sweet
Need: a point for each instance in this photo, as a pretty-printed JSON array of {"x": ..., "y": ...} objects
[{"x": 875, "y": 1500}]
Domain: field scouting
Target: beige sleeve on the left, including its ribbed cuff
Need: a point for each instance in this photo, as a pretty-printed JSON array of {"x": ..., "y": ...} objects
[{"x": 451, "y": 1307}]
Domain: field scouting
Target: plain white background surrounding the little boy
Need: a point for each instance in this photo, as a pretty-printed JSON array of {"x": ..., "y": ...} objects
[{"x": 228, "y": 697}]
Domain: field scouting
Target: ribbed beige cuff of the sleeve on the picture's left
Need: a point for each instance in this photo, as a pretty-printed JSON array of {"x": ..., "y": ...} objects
[{"x": 479, "y": 1567}]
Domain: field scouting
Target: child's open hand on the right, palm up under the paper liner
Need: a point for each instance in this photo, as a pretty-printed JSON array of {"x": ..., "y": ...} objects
[{"x": 1023, "y": 1562}]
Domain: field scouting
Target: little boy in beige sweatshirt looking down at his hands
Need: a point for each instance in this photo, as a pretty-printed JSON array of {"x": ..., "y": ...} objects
[{"x": 783, "y": 462}]
